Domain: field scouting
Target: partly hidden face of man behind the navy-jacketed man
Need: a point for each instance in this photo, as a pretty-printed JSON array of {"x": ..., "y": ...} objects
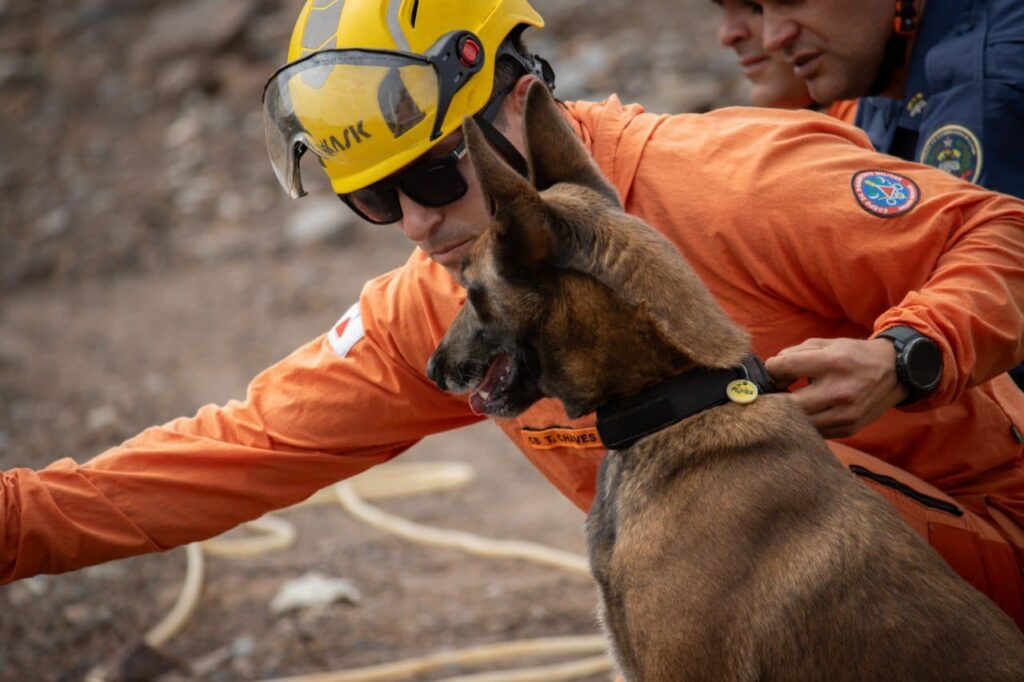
[{"x": 773, "y": 82}]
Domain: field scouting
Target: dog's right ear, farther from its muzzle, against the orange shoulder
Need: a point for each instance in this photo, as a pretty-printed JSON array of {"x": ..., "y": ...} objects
[{"x": 557, "y": 155}]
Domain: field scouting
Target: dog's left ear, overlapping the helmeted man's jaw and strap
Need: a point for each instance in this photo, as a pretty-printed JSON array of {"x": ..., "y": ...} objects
[{"x": 519, "y": 216}]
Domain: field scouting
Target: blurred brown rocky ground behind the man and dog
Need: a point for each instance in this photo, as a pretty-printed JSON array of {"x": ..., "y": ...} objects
[{"x": 151, "y": 265}]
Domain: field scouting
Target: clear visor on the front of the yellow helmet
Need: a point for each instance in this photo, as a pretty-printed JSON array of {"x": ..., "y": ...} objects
[{"x": 352, "y": 109}]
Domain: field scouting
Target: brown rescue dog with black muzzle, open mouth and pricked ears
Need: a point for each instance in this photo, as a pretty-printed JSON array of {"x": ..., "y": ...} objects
[{"x": 728, "y": 546}]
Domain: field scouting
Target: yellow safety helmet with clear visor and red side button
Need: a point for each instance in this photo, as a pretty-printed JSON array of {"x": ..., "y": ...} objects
[{"x": 371, "y": 86}]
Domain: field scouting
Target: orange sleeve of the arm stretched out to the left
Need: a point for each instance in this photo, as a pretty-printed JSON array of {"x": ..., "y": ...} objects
[{"x": 311, "y": 420}]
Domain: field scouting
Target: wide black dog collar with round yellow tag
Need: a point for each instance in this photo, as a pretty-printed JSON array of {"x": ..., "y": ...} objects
[{"x": 621, "y": 423}]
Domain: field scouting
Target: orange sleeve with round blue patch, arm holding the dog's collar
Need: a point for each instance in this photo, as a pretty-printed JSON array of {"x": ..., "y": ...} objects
[{"x": 774, "y": 197}]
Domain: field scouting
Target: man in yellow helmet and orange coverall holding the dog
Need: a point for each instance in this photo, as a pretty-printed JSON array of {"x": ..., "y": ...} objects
[{"x": 884, "y": 282}]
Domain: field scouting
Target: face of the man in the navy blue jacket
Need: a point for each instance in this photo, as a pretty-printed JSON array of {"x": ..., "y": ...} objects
[{"x": 836, "y": 47}]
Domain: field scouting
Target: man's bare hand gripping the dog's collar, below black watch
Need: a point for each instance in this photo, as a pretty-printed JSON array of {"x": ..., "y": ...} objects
[{"x": 852, "y": 382}]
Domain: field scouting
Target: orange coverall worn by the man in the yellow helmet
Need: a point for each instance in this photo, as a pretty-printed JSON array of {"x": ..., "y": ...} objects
[{"x": 760, "y": 202}]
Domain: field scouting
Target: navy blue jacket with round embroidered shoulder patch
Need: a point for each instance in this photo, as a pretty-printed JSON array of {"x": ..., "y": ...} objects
[{"x": 963, "y": 109}]
